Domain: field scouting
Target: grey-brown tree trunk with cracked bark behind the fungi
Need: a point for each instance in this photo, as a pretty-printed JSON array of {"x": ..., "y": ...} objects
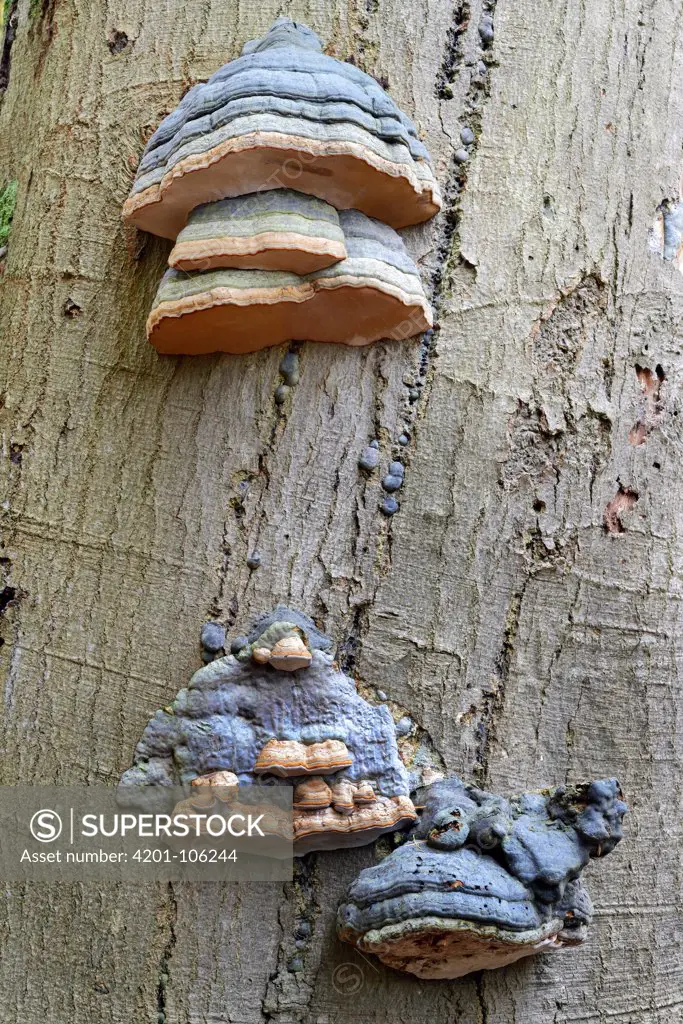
[{"x": 524, "y": 606}]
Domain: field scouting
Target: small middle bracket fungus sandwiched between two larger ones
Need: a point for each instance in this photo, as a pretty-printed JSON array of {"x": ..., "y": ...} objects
[{"x": 282, "y": 230}]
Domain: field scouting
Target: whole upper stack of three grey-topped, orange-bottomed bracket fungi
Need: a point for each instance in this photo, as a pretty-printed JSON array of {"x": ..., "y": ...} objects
[{"x": 282, "y": 182}]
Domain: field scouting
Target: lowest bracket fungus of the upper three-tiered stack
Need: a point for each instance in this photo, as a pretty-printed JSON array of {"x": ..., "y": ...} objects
[{"x": 372, "y": 294}]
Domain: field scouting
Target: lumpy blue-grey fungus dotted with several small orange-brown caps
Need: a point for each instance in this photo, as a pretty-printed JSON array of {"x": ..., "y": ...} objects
[{"x": 278, "y": 711}]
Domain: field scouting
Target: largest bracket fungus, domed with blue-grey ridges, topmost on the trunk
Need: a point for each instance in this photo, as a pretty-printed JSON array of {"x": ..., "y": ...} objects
[{"x": 284, "y": 112}]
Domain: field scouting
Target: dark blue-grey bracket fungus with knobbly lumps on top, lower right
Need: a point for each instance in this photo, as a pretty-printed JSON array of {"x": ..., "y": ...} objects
[{"x": 485, "y": 881}]
